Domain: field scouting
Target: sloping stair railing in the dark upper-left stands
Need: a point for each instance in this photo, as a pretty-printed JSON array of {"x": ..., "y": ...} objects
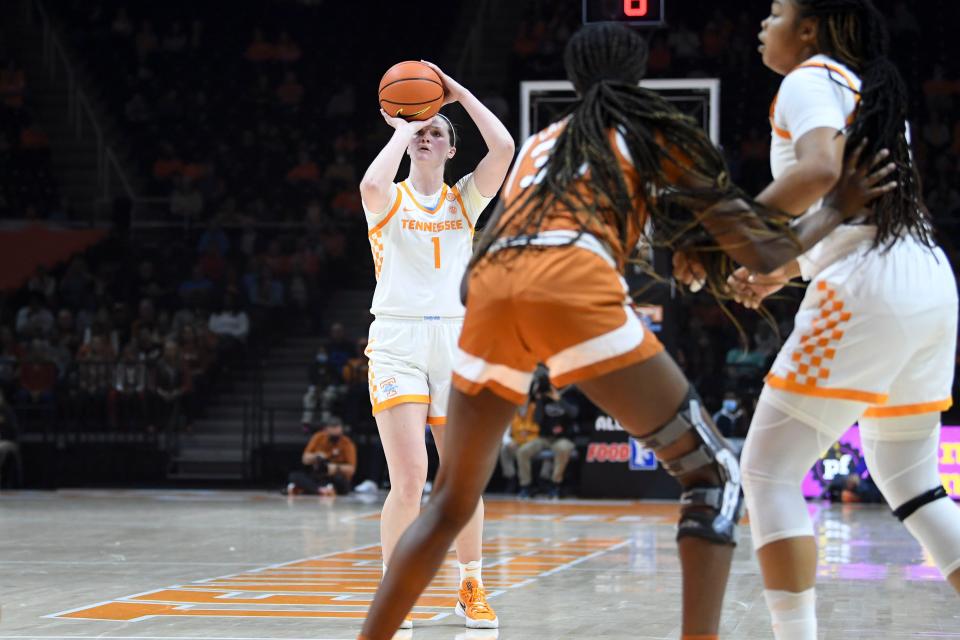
[{"x": 111, "y": 177}]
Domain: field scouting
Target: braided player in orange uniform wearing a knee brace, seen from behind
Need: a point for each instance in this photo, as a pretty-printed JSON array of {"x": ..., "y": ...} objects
[{"x": 545, "y": 286}]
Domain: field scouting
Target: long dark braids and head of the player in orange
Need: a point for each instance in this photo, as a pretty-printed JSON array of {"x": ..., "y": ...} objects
[{"x": 605, "y": 62}]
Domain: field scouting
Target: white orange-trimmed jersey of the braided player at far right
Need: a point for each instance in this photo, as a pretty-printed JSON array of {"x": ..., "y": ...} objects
[{"x": 821, "y": 92}]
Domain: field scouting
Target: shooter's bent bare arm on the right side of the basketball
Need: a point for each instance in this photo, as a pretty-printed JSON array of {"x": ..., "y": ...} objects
[{"x": 492, "y": 169}]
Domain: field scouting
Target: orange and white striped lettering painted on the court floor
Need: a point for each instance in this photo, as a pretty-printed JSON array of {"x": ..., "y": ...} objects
[{"x": 340, "y": 586}]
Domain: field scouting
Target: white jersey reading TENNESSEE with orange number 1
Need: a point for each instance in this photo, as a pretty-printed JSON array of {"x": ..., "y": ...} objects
[{"x": 421, "y": 247}]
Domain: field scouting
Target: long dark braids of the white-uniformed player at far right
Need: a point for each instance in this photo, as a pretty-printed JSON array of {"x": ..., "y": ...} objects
[{"x": 855, "y": 33}]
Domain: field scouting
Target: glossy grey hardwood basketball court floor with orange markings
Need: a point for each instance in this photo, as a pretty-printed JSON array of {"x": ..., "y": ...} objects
[{"x": 178, "y": 565}]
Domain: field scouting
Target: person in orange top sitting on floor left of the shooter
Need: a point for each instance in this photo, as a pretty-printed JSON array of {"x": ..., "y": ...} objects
[{"x": 330, "y": 459}]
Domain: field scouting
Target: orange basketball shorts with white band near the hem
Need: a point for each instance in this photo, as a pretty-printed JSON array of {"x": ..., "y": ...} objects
[{"x": 567, "y": 307}]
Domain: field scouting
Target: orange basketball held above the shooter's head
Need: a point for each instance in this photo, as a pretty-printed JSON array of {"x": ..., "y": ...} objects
[{"x": 411, "y": 90}]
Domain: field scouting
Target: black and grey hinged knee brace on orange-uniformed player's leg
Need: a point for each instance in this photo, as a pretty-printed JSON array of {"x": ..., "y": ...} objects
[{"x": 710, "y": 512}]
